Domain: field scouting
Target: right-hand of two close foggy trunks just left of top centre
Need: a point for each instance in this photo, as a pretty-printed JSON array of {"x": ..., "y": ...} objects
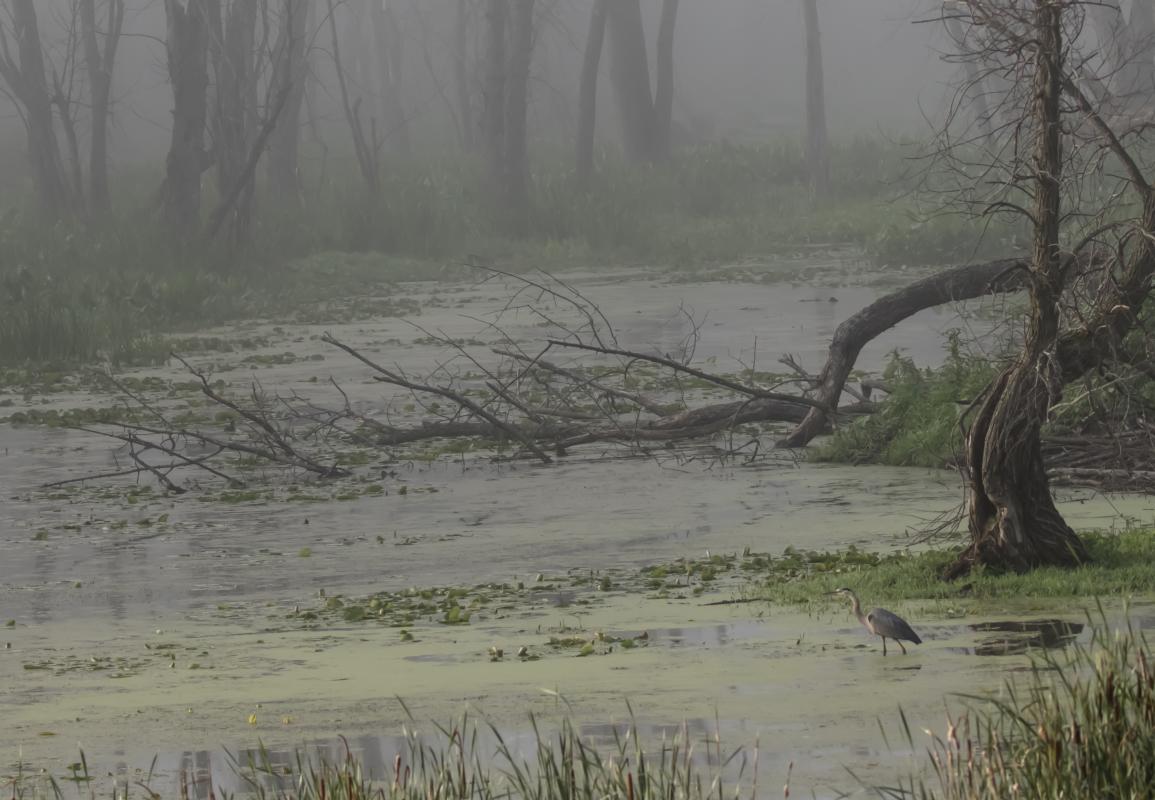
[{"x": 516, "y": 158}]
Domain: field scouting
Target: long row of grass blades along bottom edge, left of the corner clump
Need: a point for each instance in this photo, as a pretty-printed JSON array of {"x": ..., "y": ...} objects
[{"x": 454, "y": 764}]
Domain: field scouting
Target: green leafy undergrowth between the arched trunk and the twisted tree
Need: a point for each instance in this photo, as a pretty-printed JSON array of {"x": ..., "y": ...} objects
[{"x": 918, "y": 425}]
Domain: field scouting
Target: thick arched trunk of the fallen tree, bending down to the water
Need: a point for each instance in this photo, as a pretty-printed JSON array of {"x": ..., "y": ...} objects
[{"x": 953, "y": 286}]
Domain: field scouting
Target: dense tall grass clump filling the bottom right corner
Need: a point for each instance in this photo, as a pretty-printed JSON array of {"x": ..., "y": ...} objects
[{"x": 1082, "y": 727}]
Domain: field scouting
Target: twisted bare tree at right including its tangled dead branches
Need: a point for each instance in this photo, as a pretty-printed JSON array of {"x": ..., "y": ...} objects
[{"x": 1079, "y": 178}]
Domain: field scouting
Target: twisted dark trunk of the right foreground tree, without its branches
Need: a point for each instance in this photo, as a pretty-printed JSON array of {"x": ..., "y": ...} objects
[{"x": 1014, "y": 519}]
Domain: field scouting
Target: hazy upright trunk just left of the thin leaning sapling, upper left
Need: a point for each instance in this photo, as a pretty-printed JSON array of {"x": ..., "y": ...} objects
[{"x": 290, "y": 73}]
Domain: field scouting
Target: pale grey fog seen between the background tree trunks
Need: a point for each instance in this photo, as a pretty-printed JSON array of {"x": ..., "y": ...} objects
[{"x": 740, "y": 74}]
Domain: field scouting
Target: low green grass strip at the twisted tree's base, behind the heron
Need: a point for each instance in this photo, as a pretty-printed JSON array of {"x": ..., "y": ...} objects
[{"x": 1122, "y": 564}]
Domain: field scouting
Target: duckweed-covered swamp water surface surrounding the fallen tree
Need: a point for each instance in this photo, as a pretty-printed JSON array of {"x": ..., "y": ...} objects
[{"x": 145, "y": 625}]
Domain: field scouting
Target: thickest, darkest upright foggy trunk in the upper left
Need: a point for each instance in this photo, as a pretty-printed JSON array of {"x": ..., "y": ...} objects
[{"x": 188, "y": 42}]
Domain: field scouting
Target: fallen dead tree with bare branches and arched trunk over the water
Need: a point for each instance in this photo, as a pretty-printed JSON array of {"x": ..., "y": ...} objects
[{"x": 579, "y": 388}]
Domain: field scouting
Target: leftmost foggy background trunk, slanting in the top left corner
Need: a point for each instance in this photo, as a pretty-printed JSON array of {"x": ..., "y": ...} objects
[{"x": 26, "y": 77}]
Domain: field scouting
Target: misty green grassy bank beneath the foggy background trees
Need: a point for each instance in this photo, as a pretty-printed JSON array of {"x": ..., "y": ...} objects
[{"x": 80, "y": 291}]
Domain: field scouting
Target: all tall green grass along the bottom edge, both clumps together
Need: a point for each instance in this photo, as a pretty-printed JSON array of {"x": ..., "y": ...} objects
[{"x": 1082, "y": 726}]
